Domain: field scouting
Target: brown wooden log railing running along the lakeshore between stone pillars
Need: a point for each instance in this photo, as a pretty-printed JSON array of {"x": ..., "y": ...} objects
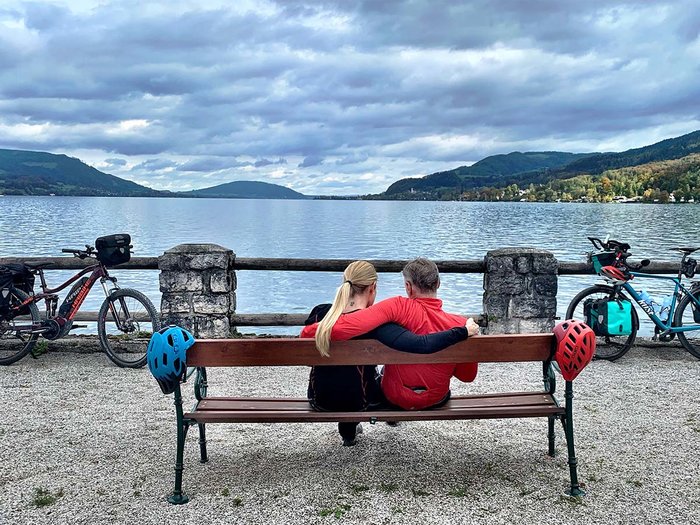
[{"x": 307, "y": 265}]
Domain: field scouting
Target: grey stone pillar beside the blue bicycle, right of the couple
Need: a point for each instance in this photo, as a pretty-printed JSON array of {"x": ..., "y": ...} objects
[{"x": 520, "y": 290}]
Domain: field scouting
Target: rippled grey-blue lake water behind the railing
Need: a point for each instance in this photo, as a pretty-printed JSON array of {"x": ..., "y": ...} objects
[{"x": 39, "y": 226}]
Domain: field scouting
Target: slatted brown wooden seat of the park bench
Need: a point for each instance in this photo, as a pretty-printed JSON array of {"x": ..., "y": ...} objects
[{"x": 518, "y": 404}]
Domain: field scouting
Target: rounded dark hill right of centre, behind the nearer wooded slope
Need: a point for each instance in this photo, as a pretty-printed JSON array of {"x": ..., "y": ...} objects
[{"x": 495, "y": 170}]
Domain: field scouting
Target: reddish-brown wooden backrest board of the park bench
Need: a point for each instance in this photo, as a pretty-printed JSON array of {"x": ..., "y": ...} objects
[{"x": 300, "y": 352}]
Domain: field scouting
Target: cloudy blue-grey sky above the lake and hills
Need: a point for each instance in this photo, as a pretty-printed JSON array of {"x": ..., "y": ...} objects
[{"x": 339, "y": 97}]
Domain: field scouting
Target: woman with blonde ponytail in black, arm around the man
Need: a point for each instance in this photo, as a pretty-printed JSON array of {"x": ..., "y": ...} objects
[{"x": 357, "y": 388}]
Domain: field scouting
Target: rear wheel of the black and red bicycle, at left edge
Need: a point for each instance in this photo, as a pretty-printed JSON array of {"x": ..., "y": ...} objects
[{"x": 16, "y": 341}]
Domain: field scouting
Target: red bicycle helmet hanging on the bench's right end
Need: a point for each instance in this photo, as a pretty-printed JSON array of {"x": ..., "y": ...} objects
[{"x": 575, "y": 347}]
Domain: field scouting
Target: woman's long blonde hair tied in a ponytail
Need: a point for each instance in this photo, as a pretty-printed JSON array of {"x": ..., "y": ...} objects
[{"x": 356, "y": 277}]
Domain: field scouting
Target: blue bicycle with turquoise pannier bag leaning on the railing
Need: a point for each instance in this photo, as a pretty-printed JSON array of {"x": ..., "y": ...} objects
[{"x": 680, "y": 317}]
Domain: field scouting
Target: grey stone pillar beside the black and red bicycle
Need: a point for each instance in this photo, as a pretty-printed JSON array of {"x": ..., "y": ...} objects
[{"x": 198, "y": 284}]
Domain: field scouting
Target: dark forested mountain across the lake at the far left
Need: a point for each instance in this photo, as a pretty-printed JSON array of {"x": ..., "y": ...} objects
[{"x": 39, "y": 173}]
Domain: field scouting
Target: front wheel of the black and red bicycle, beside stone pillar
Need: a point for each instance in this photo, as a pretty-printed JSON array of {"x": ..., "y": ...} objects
[{"x": 125, "y": 323}]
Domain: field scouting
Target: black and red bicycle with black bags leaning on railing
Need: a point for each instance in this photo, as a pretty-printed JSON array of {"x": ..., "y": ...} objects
[{"x": 125, "y": 321}]
